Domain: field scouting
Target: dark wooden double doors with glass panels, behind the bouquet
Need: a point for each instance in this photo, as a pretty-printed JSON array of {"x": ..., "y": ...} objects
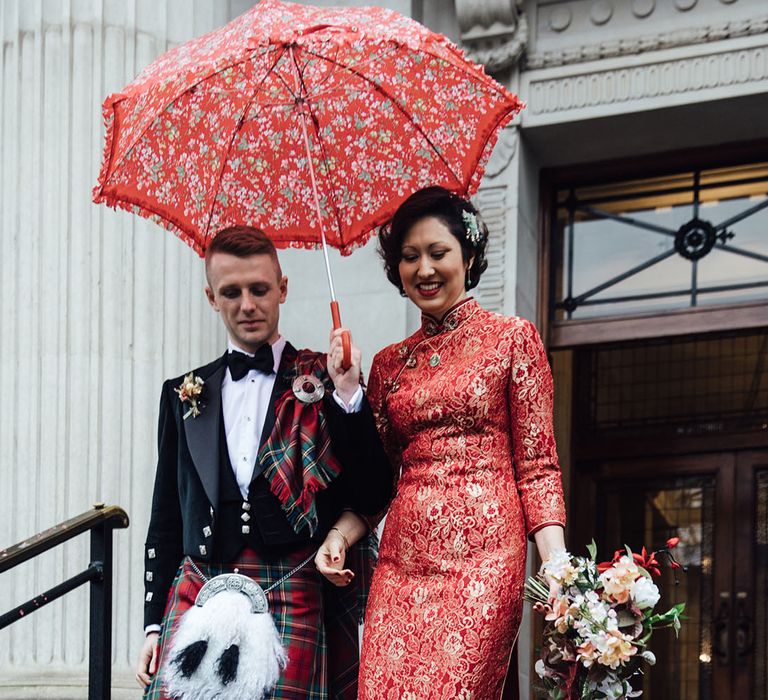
[{"x": 717, "y": 504}]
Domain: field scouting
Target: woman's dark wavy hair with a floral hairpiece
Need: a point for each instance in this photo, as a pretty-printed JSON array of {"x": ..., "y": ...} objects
[{"x": 458, "y": 215}]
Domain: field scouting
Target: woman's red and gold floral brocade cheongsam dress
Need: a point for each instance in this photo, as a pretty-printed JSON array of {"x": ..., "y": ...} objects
[{"x": 465, "y": 410}]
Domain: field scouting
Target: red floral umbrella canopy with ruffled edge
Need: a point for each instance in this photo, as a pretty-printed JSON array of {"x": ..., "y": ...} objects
[{"x": 212, "y": 133}]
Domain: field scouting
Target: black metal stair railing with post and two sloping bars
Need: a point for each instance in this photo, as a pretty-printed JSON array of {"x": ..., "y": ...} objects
[{"x": 100, "y": 521}]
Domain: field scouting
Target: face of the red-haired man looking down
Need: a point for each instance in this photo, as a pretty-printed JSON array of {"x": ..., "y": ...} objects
[{"x": 247, "y": 292}]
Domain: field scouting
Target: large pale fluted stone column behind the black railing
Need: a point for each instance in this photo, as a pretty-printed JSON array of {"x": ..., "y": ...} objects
[{"x": 96, "y": 308}]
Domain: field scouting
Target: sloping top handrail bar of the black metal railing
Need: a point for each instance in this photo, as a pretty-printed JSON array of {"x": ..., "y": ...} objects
[{"x": 53, "y": 536}]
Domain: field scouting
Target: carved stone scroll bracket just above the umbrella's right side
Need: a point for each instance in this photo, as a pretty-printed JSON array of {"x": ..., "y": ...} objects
[{"x": 493, "y": 32}]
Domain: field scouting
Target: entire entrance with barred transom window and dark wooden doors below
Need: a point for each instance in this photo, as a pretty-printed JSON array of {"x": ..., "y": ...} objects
[{"x": 659, "y": 348}]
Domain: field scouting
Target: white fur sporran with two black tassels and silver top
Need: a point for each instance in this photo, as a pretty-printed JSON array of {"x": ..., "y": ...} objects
[{"x": 226, "y": 644}]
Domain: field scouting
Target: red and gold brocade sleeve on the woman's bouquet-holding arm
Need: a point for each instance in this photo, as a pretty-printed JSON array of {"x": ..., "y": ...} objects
[{"x": 537, "y": 471}]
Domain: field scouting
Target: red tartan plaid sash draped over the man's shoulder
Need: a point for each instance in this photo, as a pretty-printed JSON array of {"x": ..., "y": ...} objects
[{"x": 297, "y": 457}]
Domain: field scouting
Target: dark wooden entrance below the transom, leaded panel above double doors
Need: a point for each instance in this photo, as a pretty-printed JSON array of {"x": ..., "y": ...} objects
[{"x": 670, "y": 439}]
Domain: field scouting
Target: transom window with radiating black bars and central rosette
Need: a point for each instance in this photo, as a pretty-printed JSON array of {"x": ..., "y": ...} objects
[{"x": 697, "y": 238}]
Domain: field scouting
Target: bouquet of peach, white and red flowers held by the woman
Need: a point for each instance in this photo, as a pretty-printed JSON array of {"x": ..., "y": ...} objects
[{"x": 599, "y": 621}]
